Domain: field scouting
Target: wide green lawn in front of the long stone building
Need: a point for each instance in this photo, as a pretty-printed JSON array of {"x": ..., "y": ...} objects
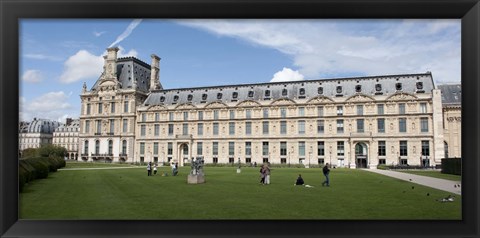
[{"x": 129, "y": 193}]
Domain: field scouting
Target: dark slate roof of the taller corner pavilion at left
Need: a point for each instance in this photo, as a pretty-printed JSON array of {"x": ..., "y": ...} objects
[{"x": 129, "y": 70}]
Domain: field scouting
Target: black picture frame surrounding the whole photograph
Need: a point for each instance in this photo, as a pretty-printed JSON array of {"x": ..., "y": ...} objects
[{"x": 11, "y": 11}]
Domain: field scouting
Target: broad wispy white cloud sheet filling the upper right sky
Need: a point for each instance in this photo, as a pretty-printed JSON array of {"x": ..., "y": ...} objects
[{"x": 327, "y": 48}]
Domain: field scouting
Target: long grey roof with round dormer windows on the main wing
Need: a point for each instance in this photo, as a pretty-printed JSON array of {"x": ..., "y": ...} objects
[{"x": 342, "y": 87}]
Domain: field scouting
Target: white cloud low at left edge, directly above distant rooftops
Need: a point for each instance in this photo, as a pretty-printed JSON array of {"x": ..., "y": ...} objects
[{"x": 52, "y": 105}]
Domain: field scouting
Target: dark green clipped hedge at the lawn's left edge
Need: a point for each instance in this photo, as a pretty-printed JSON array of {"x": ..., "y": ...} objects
[{"x": 33, "y": 168}]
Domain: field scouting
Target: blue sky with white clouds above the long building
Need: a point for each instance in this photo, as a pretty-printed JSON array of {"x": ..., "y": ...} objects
[{"x": 58, "y": 56}]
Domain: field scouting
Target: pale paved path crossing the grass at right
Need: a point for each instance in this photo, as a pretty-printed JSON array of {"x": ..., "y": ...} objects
[{"x": 441, "y": 184}]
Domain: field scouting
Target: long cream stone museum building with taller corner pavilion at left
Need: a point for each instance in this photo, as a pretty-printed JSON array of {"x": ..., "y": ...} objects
[{"x": 357, "y": 122}]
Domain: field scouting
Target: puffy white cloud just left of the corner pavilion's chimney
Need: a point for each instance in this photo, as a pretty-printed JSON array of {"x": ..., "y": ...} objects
[{"x": 83, "y": 65}]
